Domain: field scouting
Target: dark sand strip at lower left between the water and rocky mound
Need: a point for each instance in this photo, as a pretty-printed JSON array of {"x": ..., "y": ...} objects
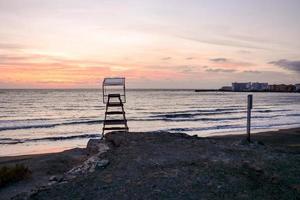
[{"x": 42, "y": 167}]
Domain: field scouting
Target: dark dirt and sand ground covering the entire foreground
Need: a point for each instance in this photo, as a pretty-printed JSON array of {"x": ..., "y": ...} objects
[{"x": 153, "y": 165}]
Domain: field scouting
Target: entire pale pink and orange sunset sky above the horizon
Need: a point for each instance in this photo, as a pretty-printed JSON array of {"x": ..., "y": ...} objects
[{"x": 154, "y": 44}]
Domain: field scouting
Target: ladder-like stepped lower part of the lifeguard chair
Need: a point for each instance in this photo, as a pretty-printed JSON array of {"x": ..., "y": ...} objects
[{"x": 112, "y": 122}]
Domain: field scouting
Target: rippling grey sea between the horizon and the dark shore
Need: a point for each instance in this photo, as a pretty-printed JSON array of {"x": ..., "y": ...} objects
[{"x": 43, "y": 121}]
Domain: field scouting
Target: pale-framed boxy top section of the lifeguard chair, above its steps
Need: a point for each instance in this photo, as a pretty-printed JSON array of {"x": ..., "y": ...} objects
[{"x": 113, "y": 86}]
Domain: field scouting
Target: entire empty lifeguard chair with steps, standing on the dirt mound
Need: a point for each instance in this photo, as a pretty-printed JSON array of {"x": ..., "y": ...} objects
[{"x": 114, "y": 97}]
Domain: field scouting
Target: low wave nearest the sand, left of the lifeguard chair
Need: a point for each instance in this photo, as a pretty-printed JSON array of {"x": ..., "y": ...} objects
[{"x": 18, "y": 141}]
